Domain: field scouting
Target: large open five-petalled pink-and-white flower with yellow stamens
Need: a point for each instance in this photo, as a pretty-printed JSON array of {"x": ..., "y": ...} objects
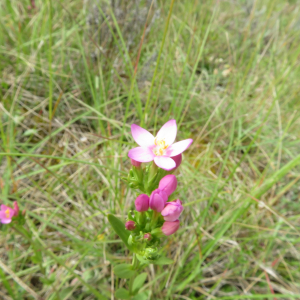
[{"x": 160, "y": 148}]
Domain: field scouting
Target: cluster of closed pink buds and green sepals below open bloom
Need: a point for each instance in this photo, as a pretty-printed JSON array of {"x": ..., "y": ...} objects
[{"x": 154, "y": 217}]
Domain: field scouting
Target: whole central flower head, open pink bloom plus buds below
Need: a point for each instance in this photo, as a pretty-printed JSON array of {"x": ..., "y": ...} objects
[{"x": 157, "y": 210}]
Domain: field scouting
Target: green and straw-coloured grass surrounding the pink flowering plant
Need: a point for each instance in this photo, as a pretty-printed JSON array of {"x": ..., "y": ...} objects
[{"x": 227, "y": 71}]
